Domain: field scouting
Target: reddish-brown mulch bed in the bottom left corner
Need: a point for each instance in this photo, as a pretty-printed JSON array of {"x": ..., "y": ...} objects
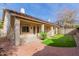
[{"x": 6, "y": 47}]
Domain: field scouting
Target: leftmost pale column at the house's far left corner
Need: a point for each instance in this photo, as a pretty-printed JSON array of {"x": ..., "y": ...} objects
[{"x": 6, "y": 23}]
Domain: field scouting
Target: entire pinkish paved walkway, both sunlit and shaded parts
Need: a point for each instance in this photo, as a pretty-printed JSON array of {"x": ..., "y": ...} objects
[{"x": 38, "y": 49}]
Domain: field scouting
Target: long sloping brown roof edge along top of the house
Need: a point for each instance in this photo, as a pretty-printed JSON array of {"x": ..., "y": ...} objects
[{"x": 25, "y": 16}]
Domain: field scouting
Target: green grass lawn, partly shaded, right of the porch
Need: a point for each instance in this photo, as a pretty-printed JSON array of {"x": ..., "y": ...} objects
[{"x": 60, "y": 40}]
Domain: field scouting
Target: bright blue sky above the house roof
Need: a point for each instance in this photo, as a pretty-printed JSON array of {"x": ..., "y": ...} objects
[{"x": 40, "y": 10}]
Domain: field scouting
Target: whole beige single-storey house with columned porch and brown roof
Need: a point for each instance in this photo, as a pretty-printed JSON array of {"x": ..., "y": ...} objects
[{"x": 20, "y": 27}]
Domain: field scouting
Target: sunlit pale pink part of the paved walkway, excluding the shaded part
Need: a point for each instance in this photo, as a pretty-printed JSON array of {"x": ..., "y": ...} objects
[{"x": 29, "y": 49}]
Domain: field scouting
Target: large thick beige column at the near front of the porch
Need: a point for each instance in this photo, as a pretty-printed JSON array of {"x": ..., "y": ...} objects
[{"x": 17, "y": 31}]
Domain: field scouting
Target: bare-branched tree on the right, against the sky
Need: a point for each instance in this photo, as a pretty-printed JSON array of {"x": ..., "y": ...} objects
[{"x": 66, "y": 18}]
